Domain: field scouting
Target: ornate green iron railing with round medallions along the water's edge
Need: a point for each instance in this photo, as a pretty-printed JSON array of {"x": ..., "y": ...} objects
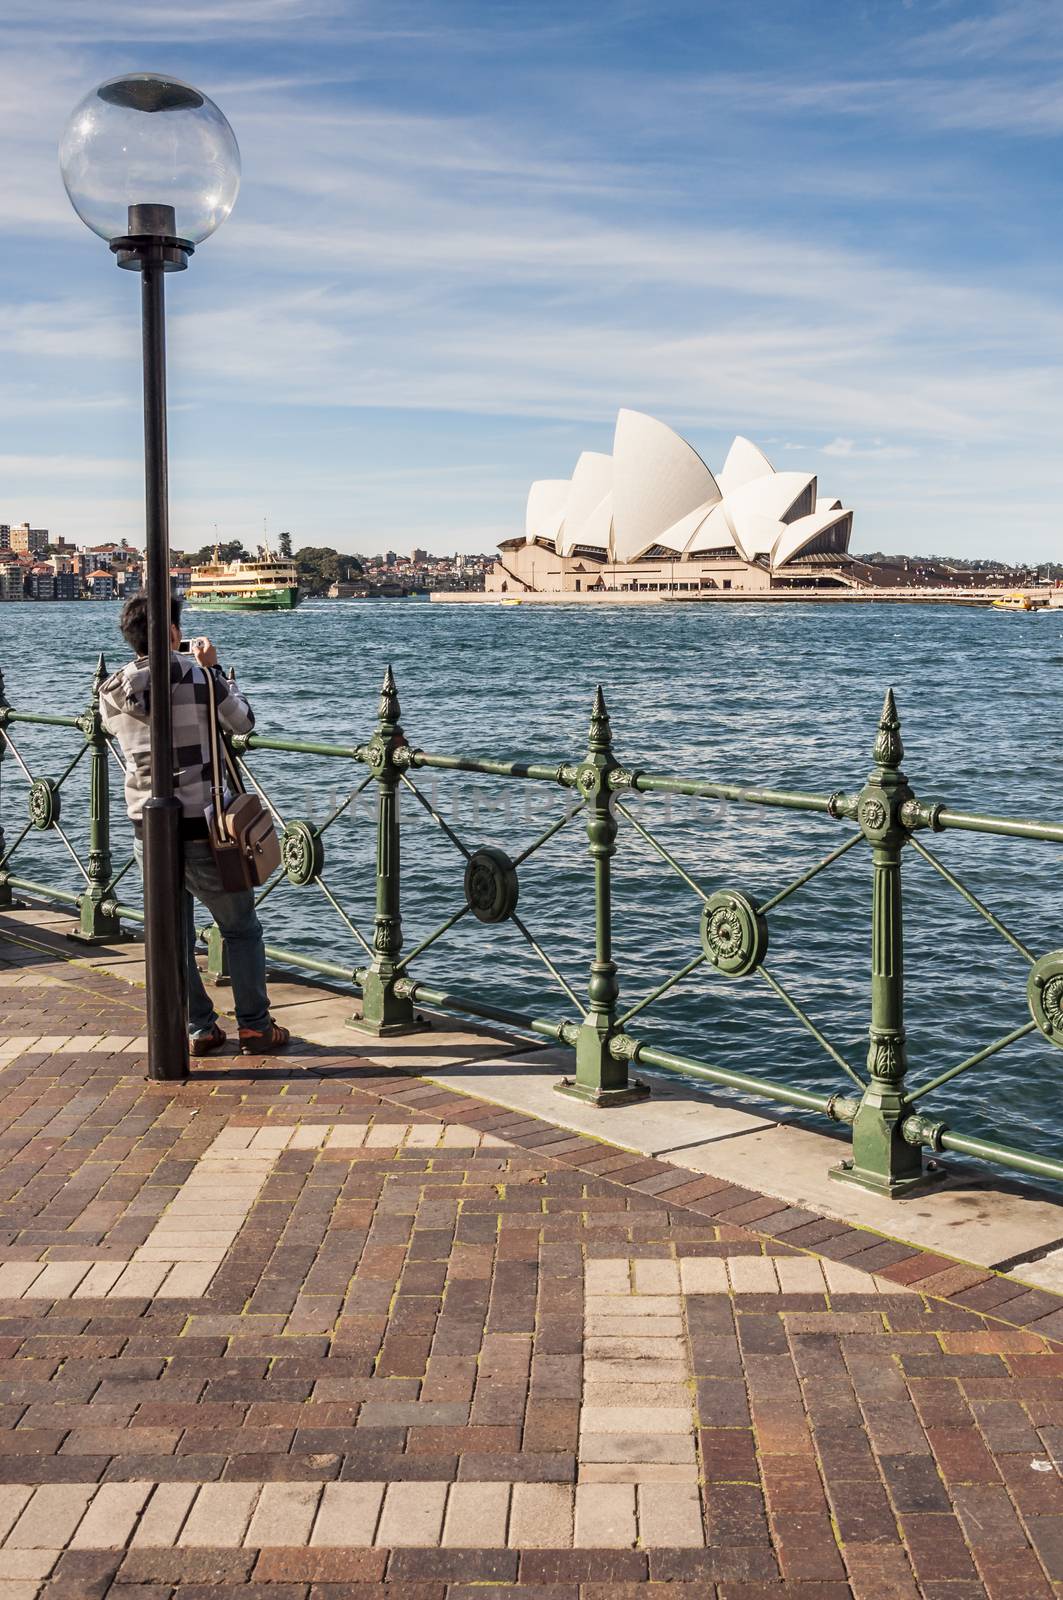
[{"x": 889, "y": 1130}]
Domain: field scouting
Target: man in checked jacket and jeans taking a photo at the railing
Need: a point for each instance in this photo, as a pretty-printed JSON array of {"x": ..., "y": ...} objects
[{"x": 124, "y": 708}]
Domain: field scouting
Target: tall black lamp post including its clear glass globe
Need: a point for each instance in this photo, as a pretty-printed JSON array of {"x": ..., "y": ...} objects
[{"x": 153, "y": 167}]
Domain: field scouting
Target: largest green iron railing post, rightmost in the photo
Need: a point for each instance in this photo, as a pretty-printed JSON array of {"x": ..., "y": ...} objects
[{"x": 883, "y": 1161}]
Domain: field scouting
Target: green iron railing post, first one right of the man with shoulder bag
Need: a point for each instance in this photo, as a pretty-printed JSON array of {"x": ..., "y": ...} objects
[{"x": 385, "y": 1012}]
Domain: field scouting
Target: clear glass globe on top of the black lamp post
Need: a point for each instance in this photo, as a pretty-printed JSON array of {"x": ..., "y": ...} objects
[{"x": 146, "y": 154}]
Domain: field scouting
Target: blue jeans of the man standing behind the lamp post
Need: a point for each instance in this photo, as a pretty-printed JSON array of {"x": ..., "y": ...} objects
[{"x": 239, "y": 926}]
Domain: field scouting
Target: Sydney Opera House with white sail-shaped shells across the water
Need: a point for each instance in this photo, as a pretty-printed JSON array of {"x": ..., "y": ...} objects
[{"x": 652, "y": 518}]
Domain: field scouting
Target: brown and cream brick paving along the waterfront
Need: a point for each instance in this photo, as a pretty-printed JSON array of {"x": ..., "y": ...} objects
[{"x": 311, "y": 1330}]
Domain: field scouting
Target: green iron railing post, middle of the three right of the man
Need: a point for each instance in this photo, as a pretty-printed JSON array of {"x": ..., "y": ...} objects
[{"x": 601, "y": 1078}]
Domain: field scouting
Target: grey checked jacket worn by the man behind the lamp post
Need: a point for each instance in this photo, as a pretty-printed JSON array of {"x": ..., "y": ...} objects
[{"x": 126, "y": 708}]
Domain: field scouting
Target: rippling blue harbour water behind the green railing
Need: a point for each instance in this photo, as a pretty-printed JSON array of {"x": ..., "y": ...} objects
[{"x": 784, "y": 697}]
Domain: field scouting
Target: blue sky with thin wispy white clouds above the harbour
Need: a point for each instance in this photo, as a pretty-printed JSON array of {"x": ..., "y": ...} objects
[{"x": 470, "y": 231}]
